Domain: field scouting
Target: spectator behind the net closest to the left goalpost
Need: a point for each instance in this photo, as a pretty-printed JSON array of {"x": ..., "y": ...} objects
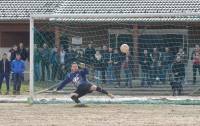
[{"x": 37, "y": 61}]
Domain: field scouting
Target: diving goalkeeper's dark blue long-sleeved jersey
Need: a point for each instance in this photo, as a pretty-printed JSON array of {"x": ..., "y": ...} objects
[{"x": 77, "y": 78}]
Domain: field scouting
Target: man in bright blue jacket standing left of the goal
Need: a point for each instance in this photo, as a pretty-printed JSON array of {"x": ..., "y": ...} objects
[{"x": 18, "y": 68}]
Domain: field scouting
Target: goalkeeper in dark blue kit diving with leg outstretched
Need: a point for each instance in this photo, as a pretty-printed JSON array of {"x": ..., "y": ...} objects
[{"x": 79, "y": 80}]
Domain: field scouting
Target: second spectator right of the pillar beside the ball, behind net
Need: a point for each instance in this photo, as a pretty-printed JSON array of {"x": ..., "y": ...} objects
[{"x": 156, "y": 58}]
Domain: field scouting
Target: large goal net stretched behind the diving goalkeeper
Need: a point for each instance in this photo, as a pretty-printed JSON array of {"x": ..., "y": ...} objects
[{"x": 161, "y": 49}]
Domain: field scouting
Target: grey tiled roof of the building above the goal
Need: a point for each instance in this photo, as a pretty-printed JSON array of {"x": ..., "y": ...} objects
[{"x": 22, "y": 9}]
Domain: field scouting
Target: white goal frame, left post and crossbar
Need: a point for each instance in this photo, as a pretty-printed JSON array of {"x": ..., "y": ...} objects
[{"x": 93, "y": 16}]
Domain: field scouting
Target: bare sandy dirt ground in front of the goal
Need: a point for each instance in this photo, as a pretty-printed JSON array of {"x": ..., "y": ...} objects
[{"x": 99, "y": 115}]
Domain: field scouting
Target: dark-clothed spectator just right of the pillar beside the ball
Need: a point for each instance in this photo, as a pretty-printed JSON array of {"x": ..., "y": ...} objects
[{"x": 145, "y": 63}]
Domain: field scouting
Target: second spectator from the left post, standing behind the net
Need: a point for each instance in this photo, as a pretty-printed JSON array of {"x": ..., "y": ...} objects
[{"x": 45, "y": 61}]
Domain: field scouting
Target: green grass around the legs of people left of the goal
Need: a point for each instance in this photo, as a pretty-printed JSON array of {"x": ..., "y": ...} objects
[{"x": 24, "y": 88}]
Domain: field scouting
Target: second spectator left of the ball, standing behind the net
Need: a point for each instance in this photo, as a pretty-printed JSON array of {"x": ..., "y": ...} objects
[{"x": 109, "y": 65}]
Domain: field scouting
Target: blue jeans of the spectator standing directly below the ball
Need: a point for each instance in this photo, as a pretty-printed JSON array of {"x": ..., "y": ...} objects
[{"x": 128, "y": 77}]
